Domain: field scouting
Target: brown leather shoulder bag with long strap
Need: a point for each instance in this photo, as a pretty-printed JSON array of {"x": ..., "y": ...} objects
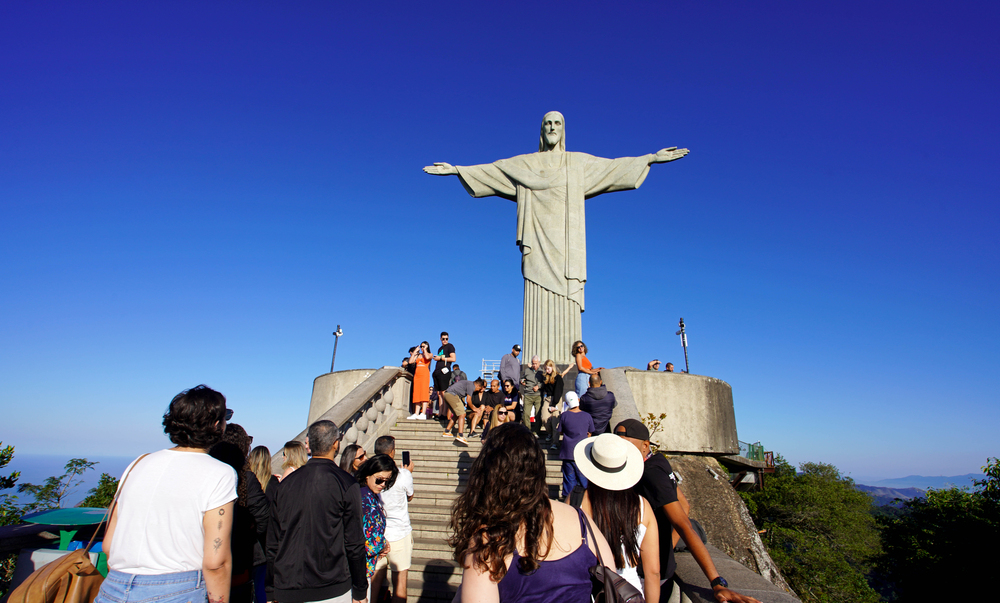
[{"x": 71, "y": 578}]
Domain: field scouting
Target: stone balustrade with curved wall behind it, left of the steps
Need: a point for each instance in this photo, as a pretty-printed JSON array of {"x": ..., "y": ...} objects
[{"x": 367, "y": 411}]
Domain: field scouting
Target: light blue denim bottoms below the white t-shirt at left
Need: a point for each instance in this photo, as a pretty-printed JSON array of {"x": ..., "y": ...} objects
[{"x": 181, "y": 587}]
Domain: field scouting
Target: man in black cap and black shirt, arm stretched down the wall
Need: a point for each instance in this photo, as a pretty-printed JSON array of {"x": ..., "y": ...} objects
[{"x": 659, "y": 486}]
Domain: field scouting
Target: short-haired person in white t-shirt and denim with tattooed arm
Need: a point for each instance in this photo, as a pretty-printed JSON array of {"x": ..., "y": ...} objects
[{"x": 168, "y": 538}]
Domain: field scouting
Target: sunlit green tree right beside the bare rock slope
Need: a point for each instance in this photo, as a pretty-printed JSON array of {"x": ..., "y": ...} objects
[{"x": 819, "y": 530}]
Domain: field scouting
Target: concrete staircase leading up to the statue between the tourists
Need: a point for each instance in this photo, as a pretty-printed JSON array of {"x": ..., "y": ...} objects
[{"x": 440, "y": 475}]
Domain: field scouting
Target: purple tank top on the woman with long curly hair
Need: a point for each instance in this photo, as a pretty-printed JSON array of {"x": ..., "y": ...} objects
[{"x": 565, "y": 580}]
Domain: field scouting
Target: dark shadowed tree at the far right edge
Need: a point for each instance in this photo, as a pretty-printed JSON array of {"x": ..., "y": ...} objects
[{"x": 942, "y": 541}]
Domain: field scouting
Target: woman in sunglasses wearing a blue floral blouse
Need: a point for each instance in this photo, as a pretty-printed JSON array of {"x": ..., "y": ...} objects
[{"x": 375, "y": 475}]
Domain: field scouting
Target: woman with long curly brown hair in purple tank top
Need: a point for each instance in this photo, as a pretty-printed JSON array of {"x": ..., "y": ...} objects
[{"x": 514, "y": 544}]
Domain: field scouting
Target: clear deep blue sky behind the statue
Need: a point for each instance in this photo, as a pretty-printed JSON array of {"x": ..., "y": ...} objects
[{"x": 200, "y": 192}]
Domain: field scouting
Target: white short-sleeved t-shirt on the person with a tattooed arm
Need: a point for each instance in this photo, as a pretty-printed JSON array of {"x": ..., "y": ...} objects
[{"x": 161, "y": 509}]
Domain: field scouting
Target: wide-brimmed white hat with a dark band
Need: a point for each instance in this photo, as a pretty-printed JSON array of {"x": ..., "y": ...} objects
[{"x": 609, "y": 461}]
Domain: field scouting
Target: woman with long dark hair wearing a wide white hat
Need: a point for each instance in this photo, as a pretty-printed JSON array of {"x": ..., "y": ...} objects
[{"x": 612, "y": 466}]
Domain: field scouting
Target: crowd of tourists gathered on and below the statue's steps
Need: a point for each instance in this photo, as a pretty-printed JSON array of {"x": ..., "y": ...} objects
[{"x": 210, "y": 520}]
